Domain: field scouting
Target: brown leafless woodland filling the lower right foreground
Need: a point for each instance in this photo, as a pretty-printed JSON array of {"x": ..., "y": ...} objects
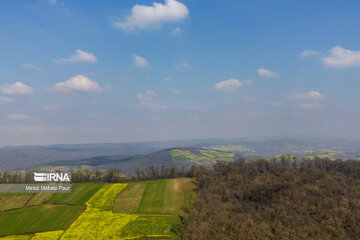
[{"x": 284, "y": 199}]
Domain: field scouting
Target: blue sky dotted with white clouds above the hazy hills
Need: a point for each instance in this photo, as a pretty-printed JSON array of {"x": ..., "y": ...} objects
[{"x": 145, "y": 70}]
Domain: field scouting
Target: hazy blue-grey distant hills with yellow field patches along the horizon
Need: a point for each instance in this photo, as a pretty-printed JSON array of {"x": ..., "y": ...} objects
[{"x": 126, "y": 154}]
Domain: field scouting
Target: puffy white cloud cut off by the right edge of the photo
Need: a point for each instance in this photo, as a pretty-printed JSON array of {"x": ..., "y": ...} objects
[{"x": 340, "y": 57}]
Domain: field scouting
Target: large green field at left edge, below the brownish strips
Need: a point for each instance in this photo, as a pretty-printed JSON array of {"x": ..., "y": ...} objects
[{"x": 38, "y": 219}]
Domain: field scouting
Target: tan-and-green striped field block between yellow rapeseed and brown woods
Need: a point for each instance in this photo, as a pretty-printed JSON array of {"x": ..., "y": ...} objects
[{"x": 157, "y": 197}]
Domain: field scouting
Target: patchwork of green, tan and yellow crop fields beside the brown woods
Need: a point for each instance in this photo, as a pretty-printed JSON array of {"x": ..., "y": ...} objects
[{"x": 138, "y": 210}]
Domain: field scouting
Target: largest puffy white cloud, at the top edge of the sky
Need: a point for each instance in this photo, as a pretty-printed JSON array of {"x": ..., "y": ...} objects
[{"x": 153, "y": 16}]
